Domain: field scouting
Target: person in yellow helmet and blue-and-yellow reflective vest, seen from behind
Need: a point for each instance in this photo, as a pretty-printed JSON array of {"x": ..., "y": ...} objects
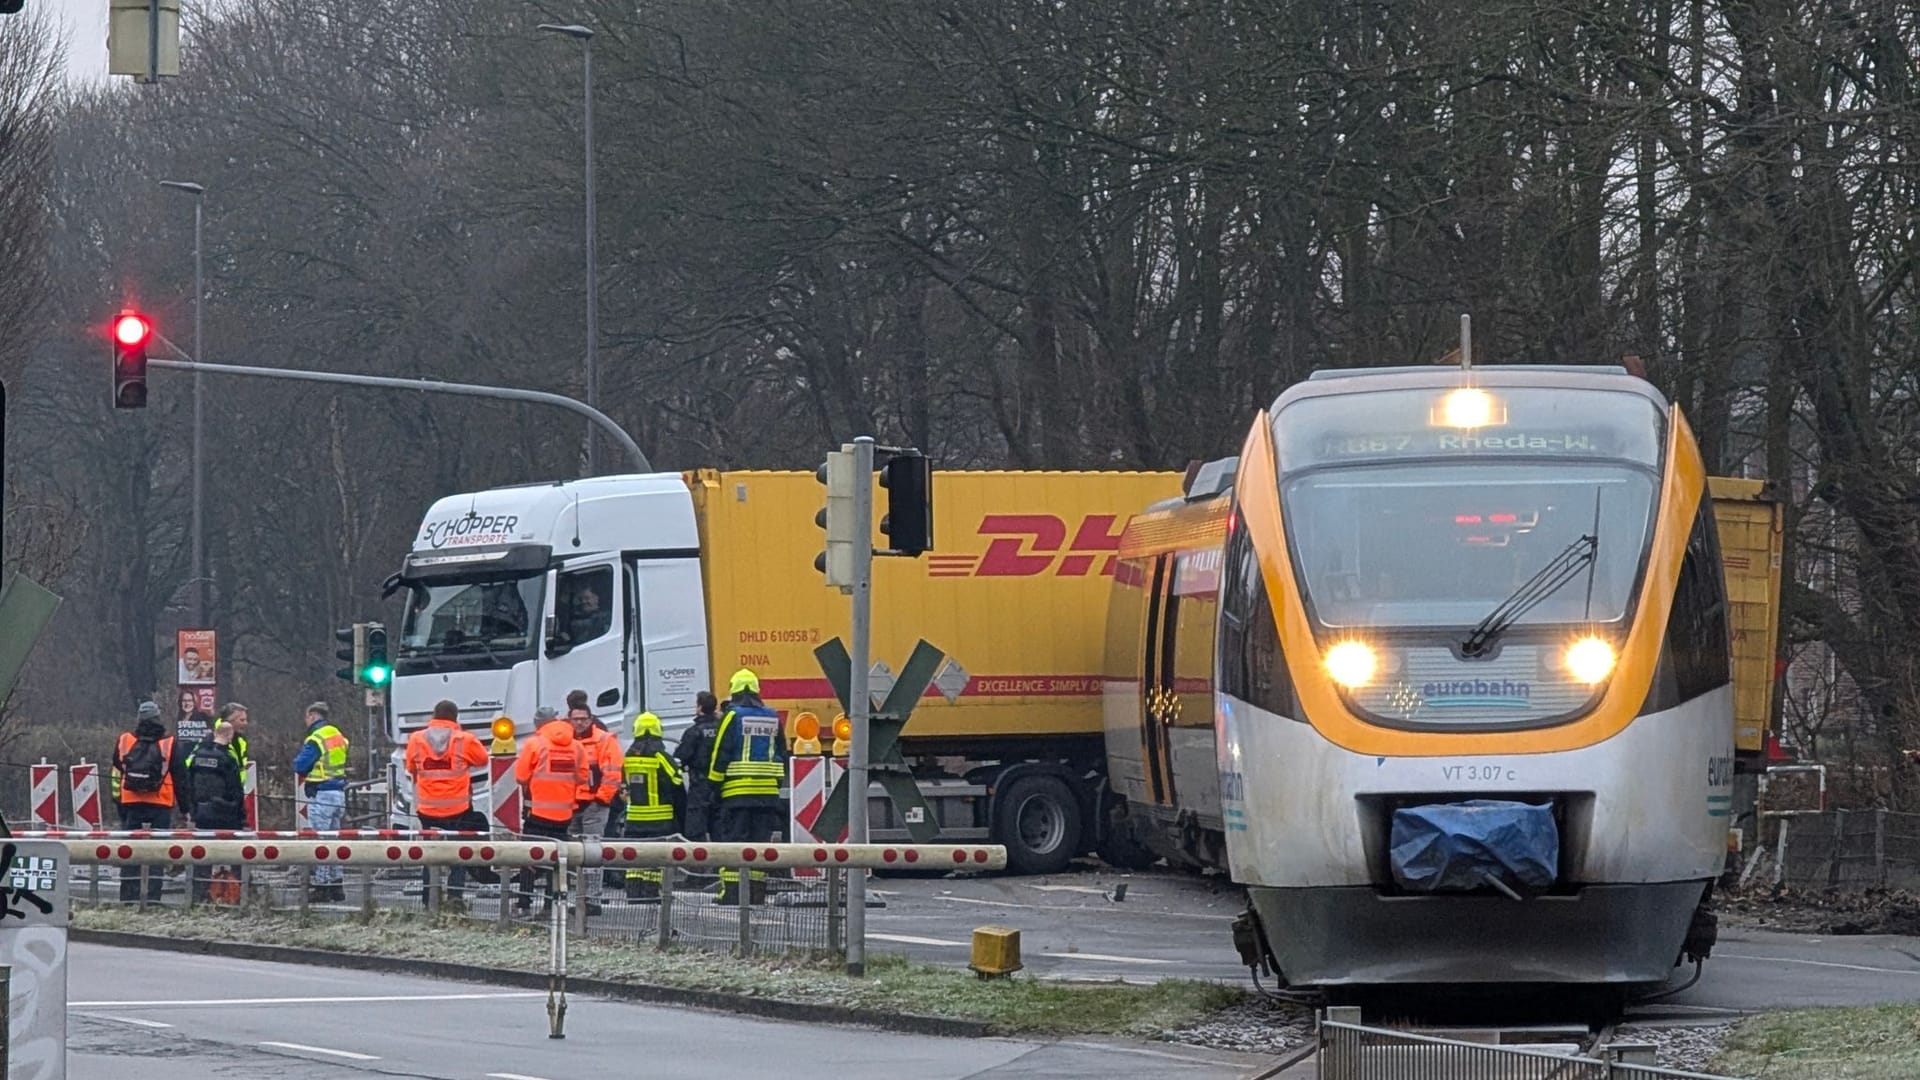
[{"x": 750, "y": 762}]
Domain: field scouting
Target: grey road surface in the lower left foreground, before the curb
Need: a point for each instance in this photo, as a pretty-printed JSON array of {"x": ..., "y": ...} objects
[{"x": 183, "y": 1018}]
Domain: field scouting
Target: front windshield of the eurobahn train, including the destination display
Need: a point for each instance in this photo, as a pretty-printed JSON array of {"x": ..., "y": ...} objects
[{"x": 1401, "y": 516}]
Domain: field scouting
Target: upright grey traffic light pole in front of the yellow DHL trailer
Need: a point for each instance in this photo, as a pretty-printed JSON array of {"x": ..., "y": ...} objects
[{"x": 861, "y": 702}]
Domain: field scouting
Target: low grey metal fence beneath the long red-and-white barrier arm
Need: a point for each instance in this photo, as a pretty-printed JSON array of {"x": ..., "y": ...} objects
[{"x": 779, "y": 916}]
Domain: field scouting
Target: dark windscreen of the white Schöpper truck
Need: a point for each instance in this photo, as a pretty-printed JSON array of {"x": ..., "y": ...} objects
[{"x": 491, "y": 622}]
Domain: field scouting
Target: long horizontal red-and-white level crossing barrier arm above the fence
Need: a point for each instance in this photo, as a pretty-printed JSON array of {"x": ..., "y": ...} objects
[{"x": 537, "y": 854}]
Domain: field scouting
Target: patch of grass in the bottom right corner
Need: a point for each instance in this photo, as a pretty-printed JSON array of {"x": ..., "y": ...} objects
[{"x": 1871, "y": 1043}]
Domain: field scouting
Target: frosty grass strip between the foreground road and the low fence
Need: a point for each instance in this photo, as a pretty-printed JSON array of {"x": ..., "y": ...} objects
[{"x": 896, "y": 985}]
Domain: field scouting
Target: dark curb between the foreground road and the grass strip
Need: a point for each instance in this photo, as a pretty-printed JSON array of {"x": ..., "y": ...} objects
[{"x": 713, "y": 1000}]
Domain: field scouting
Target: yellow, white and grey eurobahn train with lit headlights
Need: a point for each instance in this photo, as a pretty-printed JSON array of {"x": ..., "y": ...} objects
[{"x": 1439, "y": 670}]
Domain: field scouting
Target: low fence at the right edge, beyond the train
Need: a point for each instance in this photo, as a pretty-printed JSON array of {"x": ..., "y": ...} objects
[{"x": 1844, "y": 850}]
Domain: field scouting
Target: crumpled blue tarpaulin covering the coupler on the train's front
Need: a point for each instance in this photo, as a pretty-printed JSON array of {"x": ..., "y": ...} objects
[{"x": 1472, "y": 845}]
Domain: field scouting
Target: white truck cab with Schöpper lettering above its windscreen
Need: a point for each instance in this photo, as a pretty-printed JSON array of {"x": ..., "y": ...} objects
[{"x": 516, "y": 597}]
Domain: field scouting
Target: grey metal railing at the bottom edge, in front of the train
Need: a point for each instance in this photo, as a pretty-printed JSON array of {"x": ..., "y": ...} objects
[{"x": 1351, "y": 1050}]
